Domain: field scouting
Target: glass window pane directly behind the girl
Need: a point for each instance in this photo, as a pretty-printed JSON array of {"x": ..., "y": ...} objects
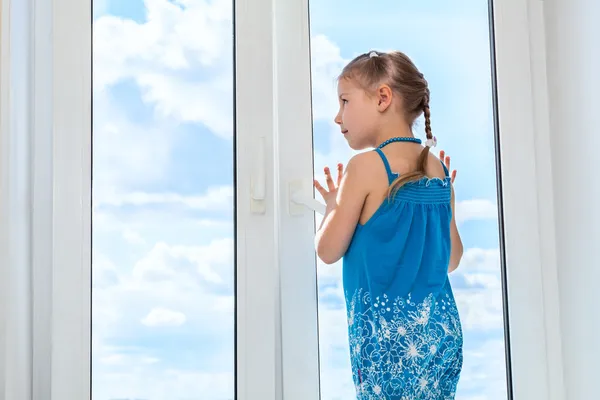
[{"x": 450, "y": 44}]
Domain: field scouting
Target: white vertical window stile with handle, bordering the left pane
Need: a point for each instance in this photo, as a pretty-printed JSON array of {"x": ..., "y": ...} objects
[{"x": 258, "y": 370}]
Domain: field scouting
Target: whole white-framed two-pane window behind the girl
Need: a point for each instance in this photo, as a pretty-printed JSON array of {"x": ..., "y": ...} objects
[{"x": 204, "y": 280}]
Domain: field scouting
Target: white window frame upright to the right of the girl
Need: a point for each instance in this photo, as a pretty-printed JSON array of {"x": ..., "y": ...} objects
[{"x": 532, "y": 286}]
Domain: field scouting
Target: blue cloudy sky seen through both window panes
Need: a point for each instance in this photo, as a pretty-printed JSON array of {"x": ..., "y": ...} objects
[{"x": 163, "y": 249}]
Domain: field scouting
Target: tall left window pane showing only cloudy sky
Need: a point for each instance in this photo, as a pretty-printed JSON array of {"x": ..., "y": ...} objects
[{"x": 163, "y": 178}]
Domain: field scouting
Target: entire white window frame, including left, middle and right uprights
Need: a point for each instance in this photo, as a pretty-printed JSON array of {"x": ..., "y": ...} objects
[{"x": 45, "y": 172}]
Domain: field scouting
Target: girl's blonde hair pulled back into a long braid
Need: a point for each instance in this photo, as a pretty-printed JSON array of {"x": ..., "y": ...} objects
[{"x": 397, "y": 70}]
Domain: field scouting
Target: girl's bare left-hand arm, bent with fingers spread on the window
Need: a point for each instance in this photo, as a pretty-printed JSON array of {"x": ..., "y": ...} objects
[{"x": 344, "y": 205}]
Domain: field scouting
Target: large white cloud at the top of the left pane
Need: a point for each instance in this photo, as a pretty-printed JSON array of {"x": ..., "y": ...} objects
[{"x": 180, "y": 58}]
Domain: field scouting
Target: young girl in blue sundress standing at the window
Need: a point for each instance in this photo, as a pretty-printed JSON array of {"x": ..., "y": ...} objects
[{"x": 391, "y": 216}]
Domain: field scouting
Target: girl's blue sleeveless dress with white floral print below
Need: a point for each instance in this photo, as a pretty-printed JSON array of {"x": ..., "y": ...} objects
[{"x": 404, "y": 329}]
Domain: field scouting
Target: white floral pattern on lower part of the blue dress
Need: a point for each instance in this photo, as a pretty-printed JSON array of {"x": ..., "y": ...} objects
[{"x": 404, "y": 350}]
